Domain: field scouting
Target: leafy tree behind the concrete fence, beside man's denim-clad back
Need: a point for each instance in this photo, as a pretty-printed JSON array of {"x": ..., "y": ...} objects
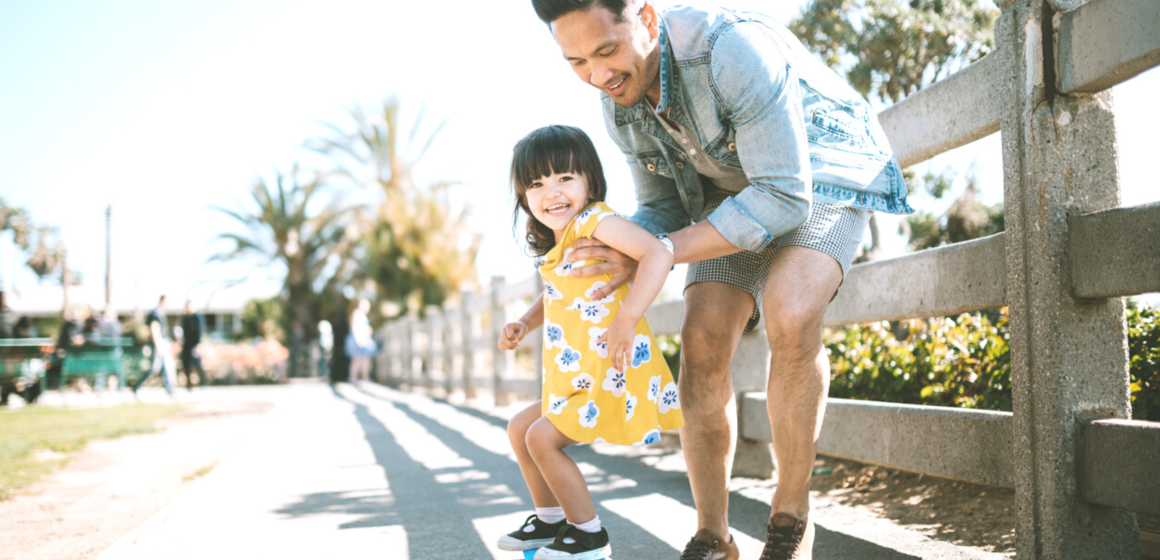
[{"x": 891, "y": 49}]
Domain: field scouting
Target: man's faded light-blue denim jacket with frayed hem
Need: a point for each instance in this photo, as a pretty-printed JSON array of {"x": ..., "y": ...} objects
[{"x": 757, "y": 101}]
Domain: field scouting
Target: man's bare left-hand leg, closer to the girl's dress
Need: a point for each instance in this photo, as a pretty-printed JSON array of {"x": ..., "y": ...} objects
[{"x": 715, "y": 317}]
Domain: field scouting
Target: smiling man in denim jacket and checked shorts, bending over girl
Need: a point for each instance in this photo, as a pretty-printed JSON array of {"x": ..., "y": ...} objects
[{"x": 764, "y": 168}]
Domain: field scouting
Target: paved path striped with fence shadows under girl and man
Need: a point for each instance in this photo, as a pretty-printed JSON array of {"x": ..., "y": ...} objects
[{"x": 369, "y": 472}]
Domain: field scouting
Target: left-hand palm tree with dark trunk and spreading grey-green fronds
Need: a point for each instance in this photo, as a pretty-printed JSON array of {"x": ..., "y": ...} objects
[{"x": 313, "y": 245}]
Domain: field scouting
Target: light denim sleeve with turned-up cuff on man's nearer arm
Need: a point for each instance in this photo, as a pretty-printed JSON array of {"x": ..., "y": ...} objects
[{"x": 763, "y": 99}]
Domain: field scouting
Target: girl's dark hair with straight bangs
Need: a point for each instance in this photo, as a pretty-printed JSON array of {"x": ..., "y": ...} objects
[{"x": 554, "y": 149}]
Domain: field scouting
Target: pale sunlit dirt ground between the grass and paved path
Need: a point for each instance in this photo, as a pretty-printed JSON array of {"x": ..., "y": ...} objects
[{"x": 114, "y": 485}]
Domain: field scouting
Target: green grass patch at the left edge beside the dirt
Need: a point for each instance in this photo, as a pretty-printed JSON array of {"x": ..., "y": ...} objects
[{"x": 27, "y": 433}]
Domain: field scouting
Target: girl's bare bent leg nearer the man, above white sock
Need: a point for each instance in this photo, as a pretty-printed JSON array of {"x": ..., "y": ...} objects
[{"x": 546, "y": 443}]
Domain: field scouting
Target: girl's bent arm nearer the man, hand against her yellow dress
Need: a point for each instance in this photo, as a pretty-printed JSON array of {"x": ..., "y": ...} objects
[{"x": 656, "y": 261}]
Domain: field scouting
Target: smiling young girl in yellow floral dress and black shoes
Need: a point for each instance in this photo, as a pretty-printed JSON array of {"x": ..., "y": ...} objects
[{"x": 605, "y": 380}]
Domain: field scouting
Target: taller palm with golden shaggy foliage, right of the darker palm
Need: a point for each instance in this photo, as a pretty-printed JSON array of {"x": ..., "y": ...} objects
[{"x": 414, "y": 249}]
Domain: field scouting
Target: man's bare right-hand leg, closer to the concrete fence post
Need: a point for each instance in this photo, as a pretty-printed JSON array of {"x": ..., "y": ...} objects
[{"x": 801, "y": 285}]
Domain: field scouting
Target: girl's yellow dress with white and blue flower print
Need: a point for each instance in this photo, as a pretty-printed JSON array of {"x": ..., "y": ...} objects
[{"x": 584, "y": 397}]
